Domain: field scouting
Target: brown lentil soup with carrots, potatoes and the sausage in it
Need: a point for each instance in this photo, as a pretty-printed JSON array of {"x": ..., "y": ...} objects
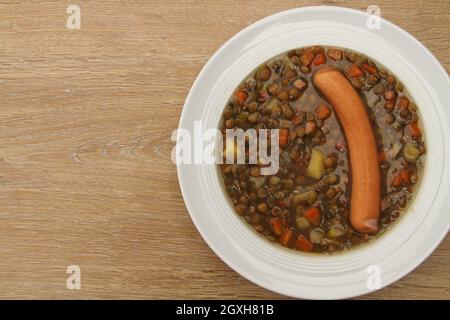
[{"x": 310, "y": 205}]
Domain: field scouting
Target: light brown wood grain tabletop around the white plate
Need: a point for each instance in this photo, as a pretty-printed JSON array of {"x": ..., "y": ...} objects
[{"x": 85, "y": 123}]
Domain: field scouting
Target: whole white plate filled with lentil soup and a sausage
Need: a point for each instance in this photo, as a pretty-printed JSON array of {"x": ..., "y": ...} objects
[{"x": 276, "y": 74}]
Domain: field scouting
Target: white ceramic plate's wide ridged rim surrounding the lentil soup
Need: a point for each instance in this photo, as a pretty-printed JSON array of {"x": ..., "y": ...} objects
[{"x": 287, "y": 272}]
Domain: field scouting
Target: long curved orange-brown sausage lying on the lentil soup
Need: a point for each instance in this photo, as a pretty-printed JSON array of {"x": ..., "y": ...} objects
[{"x": 365, "y": 172}]
